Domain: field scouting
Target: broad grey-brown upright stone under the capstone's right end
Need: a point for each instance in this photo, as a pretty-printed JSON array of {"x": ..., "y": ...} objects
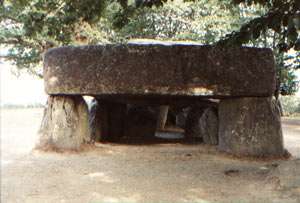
[{"x": 251, "y": 127}]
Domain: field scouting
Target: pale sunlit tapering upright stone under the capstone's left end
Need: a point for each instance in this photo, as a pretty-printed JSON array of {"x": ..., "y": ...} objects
[{"x": 65, "y": 123}]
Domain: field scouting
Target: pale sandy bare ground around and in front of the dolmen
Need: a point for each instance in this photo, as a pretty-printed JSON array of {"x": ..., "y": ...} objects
[{"x": 139, "y": 173}]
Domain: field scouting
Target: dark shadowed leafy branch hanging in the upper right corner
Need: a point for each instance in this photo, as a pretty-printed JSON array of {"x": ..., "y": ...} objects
[{"x": 283, "y": 18}]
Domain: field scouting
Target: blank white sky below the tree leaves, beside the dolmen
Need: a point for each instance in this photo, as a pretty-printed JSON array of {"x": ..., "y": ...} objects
[{"x": 26, "y": 89}]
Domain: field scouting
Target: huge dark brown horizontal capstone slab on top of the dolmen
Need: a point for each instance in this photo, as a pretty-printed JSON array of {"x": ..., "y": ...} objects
[{"x": 156, "y": 69}]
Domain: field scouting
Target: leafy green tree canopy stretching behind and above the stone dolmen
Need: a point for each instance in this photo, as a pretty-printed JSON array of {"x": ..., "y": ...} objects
[{"x": 30, "y": 27}]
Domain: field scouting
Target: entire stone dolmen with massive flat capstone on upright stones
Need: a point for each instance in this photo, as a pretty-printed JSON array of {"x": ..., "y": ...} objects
[{"x": 241, "y": 79}]
